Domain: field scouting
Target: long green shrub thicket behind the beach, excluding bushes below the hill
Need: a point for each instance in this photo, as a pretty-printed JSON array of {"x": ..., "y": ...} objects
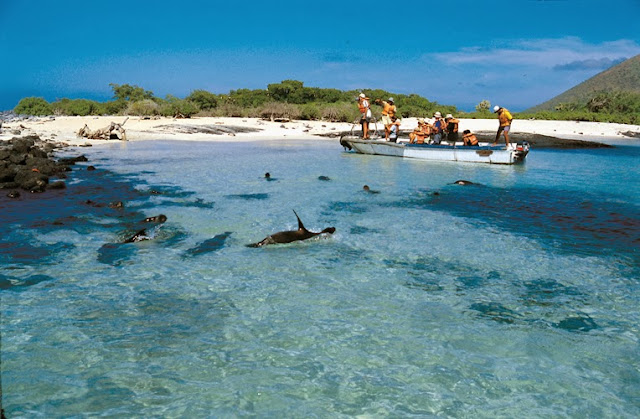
[{"x": 288, "y": 99}]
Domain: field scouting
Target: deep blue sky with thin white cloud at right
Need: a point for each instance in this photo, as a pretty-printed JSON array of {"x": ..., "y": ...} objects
[{"x": 514, "y": 53}]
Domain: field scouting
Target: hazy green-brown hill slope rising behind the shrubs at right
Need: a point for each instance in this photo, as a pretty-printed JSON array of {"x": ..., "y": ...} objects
[{"x": 622, "y": 77}]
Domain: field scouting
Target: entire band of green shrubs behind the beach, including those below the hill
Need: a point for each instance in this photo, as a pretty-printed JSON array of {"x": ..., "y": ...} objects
[{"x": 291, "y": 99}]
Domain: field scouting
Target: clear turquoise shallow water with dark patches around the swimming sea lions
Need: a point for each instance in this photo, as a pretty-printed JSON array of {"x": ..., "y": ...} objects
[{"x": 517, "y": 296}]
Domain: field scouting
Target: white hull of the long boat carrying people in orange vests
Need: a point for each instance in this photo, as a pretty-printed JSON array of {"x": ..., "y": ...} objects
[{"x": 457, "y": 153}]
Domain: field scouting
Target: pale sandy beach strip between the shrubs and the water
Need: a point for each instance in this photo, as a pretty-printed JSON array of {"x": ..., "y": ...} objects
[{"x": 64, "y": 129}]
